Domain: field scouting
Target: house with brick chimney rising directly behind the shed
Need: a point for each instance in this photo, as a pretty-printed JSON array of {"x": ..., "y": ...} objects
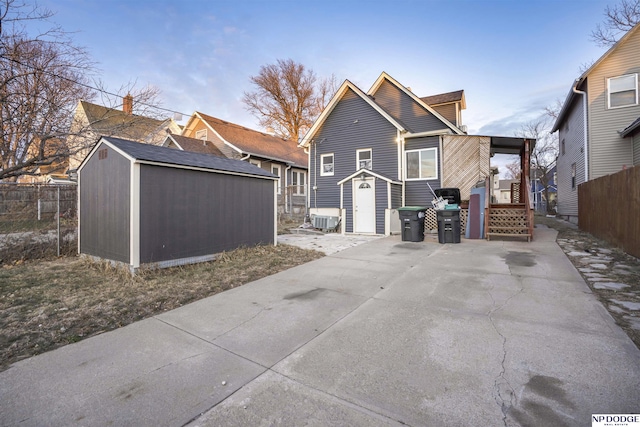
[{"x": 92, "y": 121}]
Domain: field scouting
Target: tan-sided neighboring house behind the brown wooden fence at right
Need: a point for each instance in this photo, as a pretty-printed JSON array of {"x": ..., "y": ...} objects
[{"x": 598, "y": 122}]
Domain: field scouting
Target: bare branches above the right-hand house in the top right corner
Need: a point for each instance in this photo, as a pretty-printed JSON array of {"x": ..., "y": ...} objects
[{"x": 618, "y": 20}]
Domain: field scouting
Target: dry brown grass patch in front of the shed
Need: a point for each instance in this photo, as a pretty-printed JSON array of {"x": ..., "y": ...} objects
[{"x": 48, "y": 304}]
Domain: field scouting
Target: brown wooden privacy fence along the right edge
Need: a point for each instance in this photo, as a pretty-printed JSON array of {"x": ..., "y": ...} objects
[{"x": 609, "y": 208}]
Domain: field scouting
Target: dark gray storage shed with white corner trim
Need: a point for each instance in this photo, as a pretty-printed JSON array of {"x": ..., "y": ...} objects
[{"x": 143, "y": 204}]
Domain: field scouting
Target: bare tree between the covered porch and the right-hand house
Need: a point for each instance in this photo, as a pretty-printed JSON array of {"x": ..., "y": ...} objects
[{"x": 545, "y": 152}]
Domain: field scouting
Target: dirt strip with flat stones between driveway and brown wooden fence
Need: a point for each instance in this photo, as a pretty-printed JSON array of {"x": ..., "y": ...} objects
[{"x": 612, "y": 274}]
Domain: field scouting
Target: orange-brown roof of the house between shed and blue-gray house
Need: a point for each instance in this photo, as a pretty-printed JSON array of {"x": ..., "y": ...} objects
[{"x": 255, "y": 143}]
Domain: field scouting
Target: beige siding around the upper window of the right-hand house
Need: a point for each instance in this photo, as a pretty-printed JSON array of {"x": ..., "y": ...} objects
[{"x": 608, "y": 152}]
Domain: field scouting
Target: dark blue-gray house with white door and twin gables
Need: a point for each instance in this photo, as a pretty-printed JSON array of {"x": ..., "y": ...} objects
[{"x": 370, "y": 153}]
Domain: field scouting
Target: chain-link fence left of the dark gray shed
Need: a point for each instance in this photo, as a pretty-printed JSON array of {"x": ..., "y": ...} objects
[{"x": 37, "y": 221}]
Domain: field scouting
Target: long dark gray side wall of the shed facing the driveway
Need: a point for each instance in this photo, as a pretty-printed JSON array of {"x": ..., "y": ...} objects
[{"x": 186, "y": 213}]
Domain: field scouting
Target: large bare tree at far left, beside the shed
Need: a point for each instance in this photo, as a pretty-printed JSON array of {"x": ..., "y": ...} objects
[{"x": 41, "y": 80}]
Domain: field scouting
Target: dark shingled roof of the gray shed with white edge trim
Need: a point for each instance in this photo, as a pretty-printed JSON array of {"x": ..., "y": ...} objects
[{"x": 172, "y": 157}]
